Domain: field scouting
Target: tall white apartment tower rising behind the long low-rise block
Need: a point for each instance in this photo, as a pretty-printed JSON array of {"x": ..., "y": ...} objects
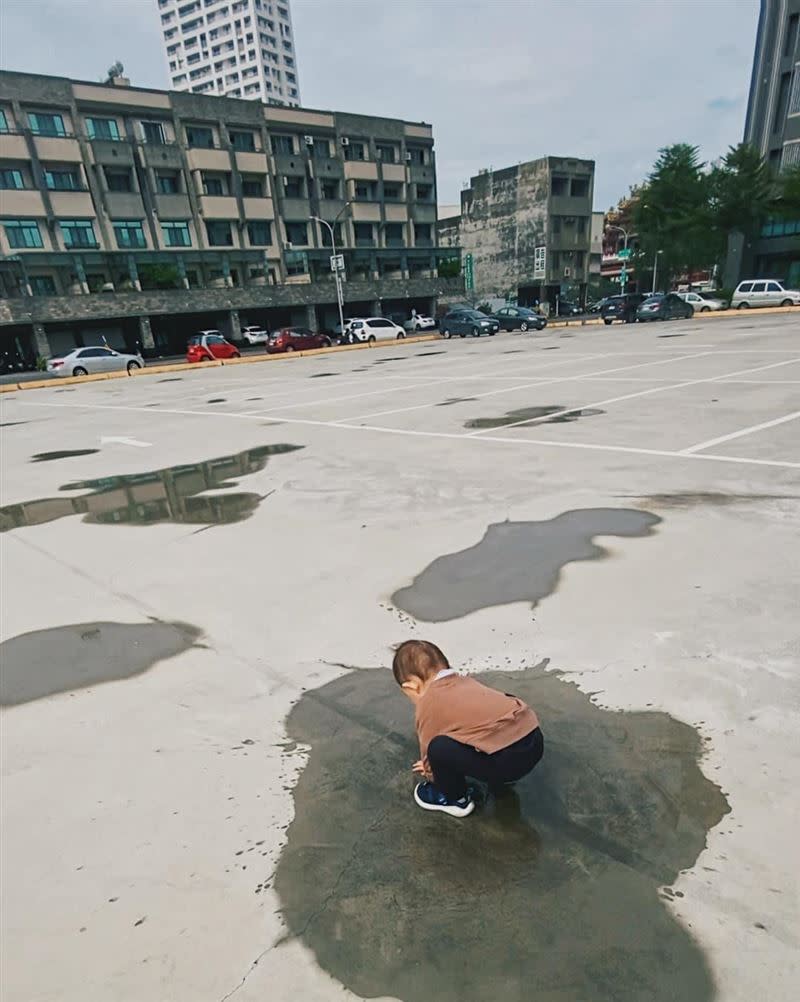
[{"x": 234, "y": 49}]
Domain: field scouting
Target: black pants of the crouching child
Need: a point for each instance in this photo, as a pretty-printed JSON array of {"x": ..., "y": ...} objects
[{"x": 452, "y": 763}]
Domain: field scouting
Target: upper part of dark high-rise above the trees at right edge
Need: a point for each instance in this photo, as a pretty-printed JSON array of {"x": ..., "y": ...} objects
[{"x": 773, "y": 111}]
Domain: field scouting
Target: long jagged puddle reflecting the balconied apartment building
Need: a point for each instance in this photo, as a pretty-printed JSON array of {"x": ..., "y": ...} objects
[{"x": 176, "y": 494}]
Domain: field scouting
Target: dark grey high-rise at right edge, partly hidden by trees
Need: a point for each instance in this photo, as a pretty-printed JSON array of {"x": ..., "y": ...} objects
[{"x": 773, "y": 127}]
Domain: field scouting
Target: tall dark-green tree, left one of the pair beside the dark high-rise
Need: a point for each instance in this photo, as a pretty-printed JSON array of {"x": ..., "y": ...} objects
[{"x": 673, "y": 217}]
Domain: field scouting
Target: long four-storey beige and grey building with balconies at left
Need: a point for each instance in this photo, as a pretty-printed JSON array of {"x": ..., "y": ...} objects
[{"x": 144, "y": 216}]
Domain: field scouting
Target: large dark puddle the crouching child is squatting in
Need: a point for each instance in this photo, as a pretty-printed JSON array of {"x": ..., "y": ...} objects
[{"x": 550, "y": 893}]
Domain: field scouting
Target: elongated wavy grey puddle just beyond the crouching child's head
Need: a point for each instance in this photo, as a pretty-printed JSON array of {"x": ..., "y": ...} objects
[{"x": 516, "y": 563}]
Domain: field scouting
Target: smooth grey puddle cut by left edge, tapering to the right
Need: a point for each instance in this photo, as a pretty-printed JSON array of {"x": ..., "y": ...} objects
[{"x": 66, "y": 659}]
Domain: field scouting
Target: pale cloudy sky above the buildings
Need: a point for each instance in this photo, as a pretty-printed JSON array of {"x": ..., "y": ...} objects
[{"x": 502, "y": 82}]
